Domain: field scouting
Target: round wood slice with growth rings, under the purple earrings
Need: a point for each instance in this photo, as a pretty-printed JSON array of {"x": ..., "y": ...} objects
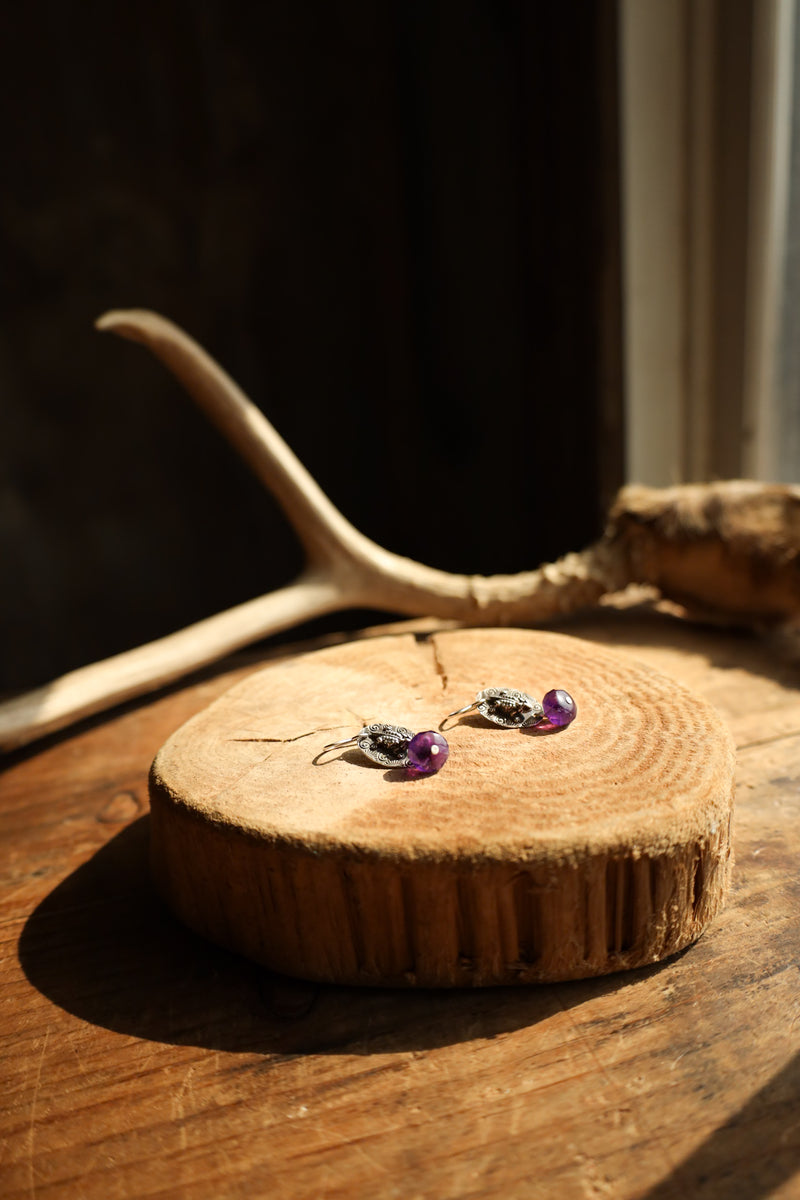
[{"x": 531, "y": 857}]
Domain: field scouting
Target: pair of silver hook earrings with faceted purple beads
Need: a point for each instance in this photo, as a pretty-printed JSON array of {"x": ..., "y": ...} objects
[{"x": 393, "y": 746}]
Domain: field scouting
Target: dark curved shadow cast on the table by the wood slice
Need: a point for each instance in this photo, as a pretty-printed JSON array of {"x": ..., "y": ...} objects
[{"x": 104, "y": 947}]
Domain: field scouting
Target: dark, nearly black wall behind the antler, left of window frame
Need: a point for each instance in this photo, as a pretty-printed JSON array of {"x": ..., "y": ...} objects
[{"x": 395, "y": 225}]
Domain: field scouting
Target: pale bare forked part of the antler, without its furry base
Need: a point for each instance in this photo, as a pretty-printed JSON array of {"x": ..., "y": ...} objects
[{"x": 345, "y": 571}]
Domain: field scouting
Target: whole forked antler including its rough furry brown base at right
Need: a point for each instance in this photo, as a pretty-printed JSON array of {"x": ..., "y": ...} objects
[{"x": 346, "y": 571}]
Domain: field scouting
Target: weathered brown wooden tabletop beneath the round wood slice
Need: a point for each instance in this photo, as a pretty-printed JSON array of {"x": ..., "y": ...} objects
[{"x": 141, "y": 1063}]
